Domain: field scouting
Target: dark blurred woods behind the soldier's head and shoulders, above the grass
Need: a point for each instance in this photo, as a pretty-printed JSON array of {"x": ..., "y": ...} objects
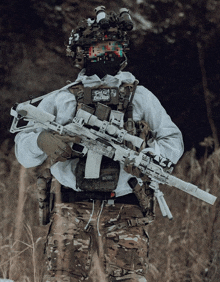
[{"x": 163, "y": 55}]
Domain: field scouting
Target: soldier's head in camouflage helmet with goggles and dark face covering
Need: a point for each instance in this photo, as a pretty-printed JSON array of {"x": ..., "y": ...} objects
[{"x": 100, "y": 44}]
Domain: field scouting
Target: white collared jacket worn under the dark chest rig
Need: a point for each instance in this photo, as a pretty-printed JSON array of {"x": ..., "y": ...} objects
[{"x": 167, "y": 138}]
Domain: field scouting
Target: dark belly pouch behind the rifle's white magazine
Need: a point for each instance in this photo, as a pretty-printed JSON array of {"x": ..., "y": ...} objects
[{"x": 107, "y": 181}]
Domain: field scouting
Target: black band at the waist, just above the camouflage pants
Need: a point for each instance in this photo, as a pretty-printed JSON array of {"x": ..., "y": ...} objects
[{"x": 68, "y": 195}]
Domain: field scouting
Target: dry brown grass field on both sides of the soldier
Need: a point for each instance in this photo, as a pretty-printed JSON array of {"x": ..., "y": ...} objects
[{"x": 185, "y": 249}]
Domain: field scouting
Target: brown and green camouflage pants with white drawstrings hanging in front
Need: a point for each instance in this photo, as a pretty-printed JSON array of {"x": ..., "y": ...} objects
[{"x": 94, "y": 241}]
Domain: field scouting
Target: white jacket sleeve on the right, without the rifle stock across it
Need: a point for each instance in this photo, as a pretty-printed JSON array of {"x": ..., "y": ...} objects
[{"x": 167, "y": 138}]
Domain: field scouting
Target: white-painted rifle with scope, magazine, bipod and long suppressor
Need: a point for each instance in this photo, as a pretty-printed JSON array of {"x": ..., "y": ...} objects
[{"x": 102, "y": 138}]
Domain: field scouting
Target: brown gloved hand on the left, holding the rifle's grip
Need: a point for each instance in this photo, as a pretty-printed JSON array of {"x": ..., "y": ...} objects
[{"x": 55, "y": 145}]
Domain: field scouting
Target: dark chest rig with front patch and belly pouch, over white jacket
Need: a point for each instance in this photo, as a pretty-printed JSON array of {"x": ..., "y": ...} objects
[{"x": 99, "y": 173}]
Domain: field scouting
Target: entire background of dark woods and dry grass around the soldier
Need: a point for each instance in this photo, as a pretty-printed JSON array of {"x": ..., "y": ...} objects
[{"x": 176, "y": 56}]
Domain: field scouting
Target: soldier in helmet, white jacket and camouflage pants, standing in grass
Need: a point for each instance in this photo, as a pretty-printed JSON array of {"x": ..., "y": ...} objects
[{"x": 98, "y": 226}]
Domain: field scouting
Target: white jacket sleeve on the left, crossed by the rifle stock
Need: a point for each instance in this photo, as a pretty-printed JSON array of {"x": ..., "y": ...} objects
[{"x": 62, "y": 105}]
